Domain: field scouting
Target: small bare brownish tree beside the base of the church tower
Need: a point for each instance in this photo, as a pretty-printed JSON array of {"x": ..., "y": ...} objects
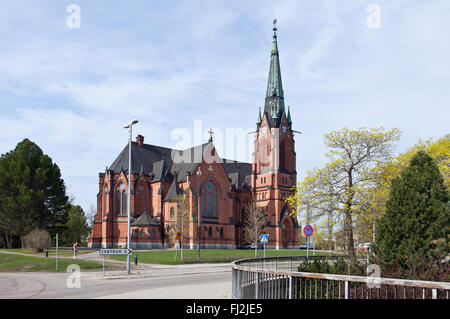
[{"x": 255, "y": 220}]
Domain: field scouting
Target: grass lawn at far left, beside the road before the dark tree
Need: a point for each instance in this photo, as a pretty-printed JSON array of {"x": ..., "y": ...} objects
[{"x": 14, "y": 262}]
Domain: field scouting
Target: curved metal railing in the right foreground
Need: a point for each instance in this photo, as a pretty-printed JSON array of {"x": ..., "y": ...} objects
[{"x": 276, "y": 278}]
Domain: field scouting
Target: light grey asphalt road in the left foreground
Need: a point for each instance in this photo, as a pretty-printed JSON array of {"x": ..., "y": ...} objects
[{"x": 204, "y": 284}]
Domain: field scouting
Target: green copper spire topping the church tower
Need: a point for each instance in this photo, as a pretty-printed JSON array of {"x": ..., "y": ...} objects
[{"x": 274, "y": 105}]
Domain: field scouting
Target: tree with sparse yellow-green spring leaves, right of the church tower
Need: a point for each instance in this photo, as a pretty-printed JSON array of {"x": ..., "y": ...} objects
[{"x": 339, "y": 187}]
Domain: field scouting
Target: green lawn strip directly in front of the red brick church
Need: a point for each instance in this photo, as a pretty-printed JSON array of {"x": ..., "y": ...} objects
[{"x": 167, "y": 257}]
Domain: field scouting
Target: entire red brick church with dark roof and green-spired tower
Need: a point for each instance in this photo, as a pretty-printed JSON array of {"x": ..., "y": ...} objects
[{"x": 223, "y": 189}]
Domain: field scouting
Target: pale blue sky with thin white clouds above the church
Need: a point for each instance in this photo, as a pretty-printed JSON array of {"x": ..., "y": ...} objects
[{"x": 171, "y": 63}]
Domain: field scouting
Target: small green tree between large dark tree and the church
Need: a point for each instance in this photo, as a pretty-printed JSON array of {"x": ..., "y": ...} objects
[{"x": 77, "y": 228}]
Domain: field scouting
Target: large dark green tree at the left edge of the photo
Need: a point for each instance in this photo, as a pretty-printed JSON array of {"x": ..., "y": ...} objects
[{"x": 32, "y": 193}]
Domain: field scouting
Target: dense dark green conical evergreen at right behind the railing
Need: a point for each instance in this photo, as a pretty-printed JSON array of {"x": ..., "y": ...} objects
[{"x": 415, "y": 227}]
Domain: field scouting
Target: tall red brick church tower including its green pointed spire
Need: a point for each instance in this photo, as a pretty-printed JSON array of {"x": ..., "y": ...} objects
[{"x": 274, "y": 159}]
